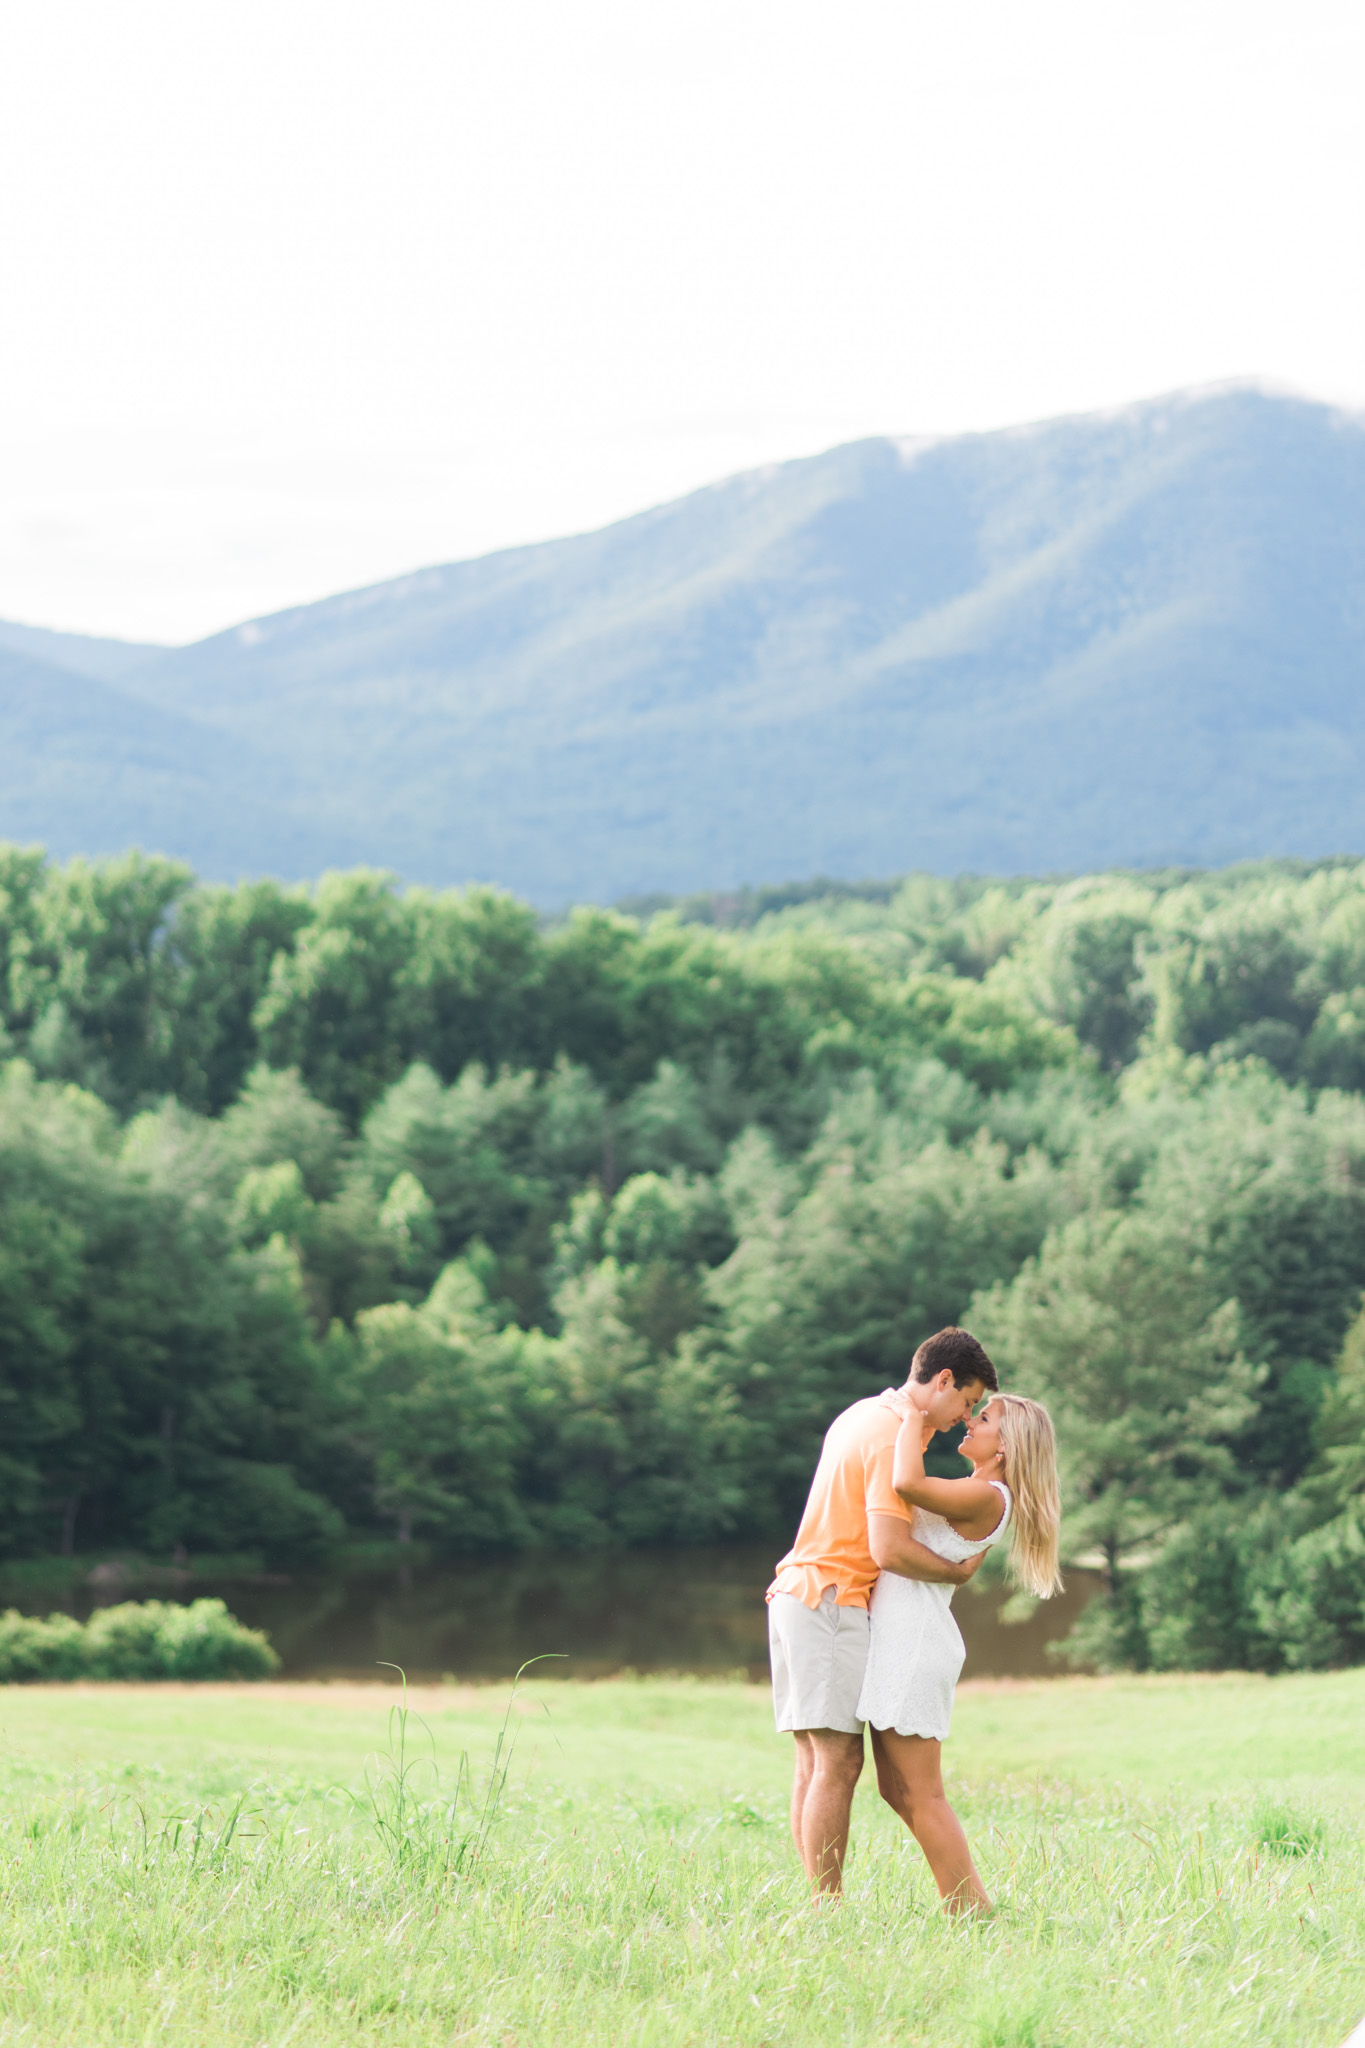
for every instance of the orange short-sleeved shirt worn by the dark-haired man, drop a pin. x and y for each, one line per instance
(852, 1482)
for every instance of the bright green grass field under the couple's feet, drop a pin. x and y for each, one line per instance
(1174, 1861)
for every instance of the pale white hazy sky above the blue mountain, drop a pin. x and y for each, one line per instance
(304, 294)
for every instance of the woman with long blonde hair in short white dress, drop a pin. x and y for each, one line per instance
(916, 1648)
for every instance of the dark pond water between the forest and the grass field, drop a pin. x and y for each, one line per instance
(646, 1611)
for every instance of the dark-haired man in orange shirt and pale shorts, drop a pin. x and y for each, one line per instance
(818, 1607)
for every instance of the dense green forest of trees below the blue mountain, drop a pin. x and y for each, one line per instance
(357, 1209)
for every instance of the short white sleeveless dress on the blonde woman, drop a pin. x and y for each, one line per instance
(916, 1648)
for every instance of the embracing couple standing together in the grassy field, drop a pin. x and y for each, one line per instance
(861, 1613)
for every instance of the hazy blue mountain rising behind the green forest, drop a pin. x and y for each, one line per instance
(1120, 640)
